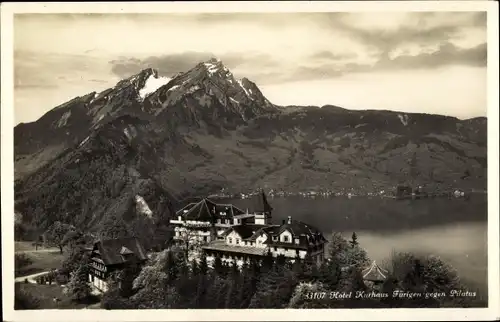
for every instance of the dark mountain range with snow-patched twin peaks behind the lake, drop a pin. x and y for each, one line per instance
(163, 140)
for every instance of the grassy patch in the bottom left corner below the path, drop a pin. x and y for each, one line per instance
(46, 294)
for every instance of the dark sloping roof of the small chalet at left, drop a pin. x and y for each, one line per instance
(111, 250)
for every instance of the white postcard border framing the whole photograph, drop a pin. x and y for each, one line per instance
(7, 122)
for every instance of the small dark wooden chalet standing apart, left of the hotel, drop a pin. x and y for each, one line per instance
(109, 255)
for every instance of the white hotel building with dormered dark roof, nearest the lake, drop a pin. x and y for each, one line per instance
(244, 242)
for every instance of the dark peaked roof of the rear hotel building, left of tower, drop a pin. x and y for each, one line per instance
(208, 211)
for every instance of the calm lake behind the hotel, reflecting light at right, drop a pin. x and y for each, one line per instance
(455, 230)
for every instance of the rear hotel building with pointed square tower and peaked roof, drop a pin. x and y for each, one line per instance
(206, 220)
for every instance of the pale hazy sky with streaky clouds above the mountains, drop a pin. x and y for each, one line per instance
(415, 62)
